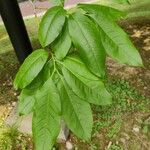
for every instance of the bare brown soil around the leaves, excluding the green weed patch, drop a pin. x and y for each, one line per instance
(129, 135)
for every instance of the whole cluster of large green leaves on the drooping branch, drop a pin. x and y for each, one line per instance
(62, 79)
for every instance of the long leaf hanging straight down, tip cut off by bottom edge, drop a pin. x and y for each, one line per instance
(46, 117)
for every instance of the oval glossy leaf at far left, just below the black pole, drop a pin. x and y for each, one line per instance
(31, 67)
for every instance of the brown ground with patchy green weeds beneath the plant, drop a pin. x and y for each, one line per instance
(125, 124)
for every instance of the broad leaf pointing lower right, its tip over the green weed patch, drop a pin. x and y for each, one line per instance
(87, 86)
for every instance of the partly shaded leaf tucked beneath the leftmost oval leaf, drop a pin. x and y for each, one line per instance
(27, 96)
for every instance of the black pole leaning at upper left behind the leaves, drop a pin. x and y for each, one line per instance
(15, 27)
